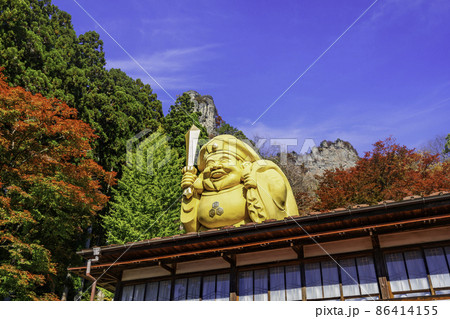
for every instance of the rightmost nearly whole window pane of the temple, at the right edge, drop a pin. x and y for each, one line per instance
(437, 265)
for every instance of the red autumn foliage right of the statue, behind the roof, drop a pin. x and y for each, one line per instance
(389, 172)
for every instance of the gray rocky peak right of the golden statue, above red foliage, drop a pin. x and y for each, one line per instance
(329, 155)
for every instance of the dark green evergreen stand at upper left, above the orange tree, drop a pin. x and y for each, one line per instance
(42, 53)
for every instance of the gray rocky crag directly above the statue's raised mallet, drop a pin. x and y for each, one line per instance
(205, 105)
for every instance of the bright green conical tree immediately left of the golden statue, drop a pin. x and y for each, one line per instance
(146, 201)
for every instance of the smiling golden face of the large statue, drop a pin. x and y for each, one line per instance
(222, 171)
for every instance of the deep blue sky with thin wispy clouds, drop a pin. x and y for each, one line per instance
(388, 75)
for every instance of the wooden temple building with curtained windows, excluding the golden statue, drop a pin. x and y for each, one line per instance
(392, 250)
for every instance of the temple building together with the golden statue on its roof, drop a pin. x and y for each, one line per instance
(245, 241)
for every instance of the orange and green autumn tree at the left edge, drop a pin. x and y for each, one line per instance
(49, 191)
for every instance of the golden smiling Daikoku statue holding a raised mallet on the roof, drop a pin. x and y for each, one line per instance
(234, 186)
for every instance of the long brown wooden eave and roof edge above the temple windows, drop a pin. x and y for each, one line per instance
(387, 217)
